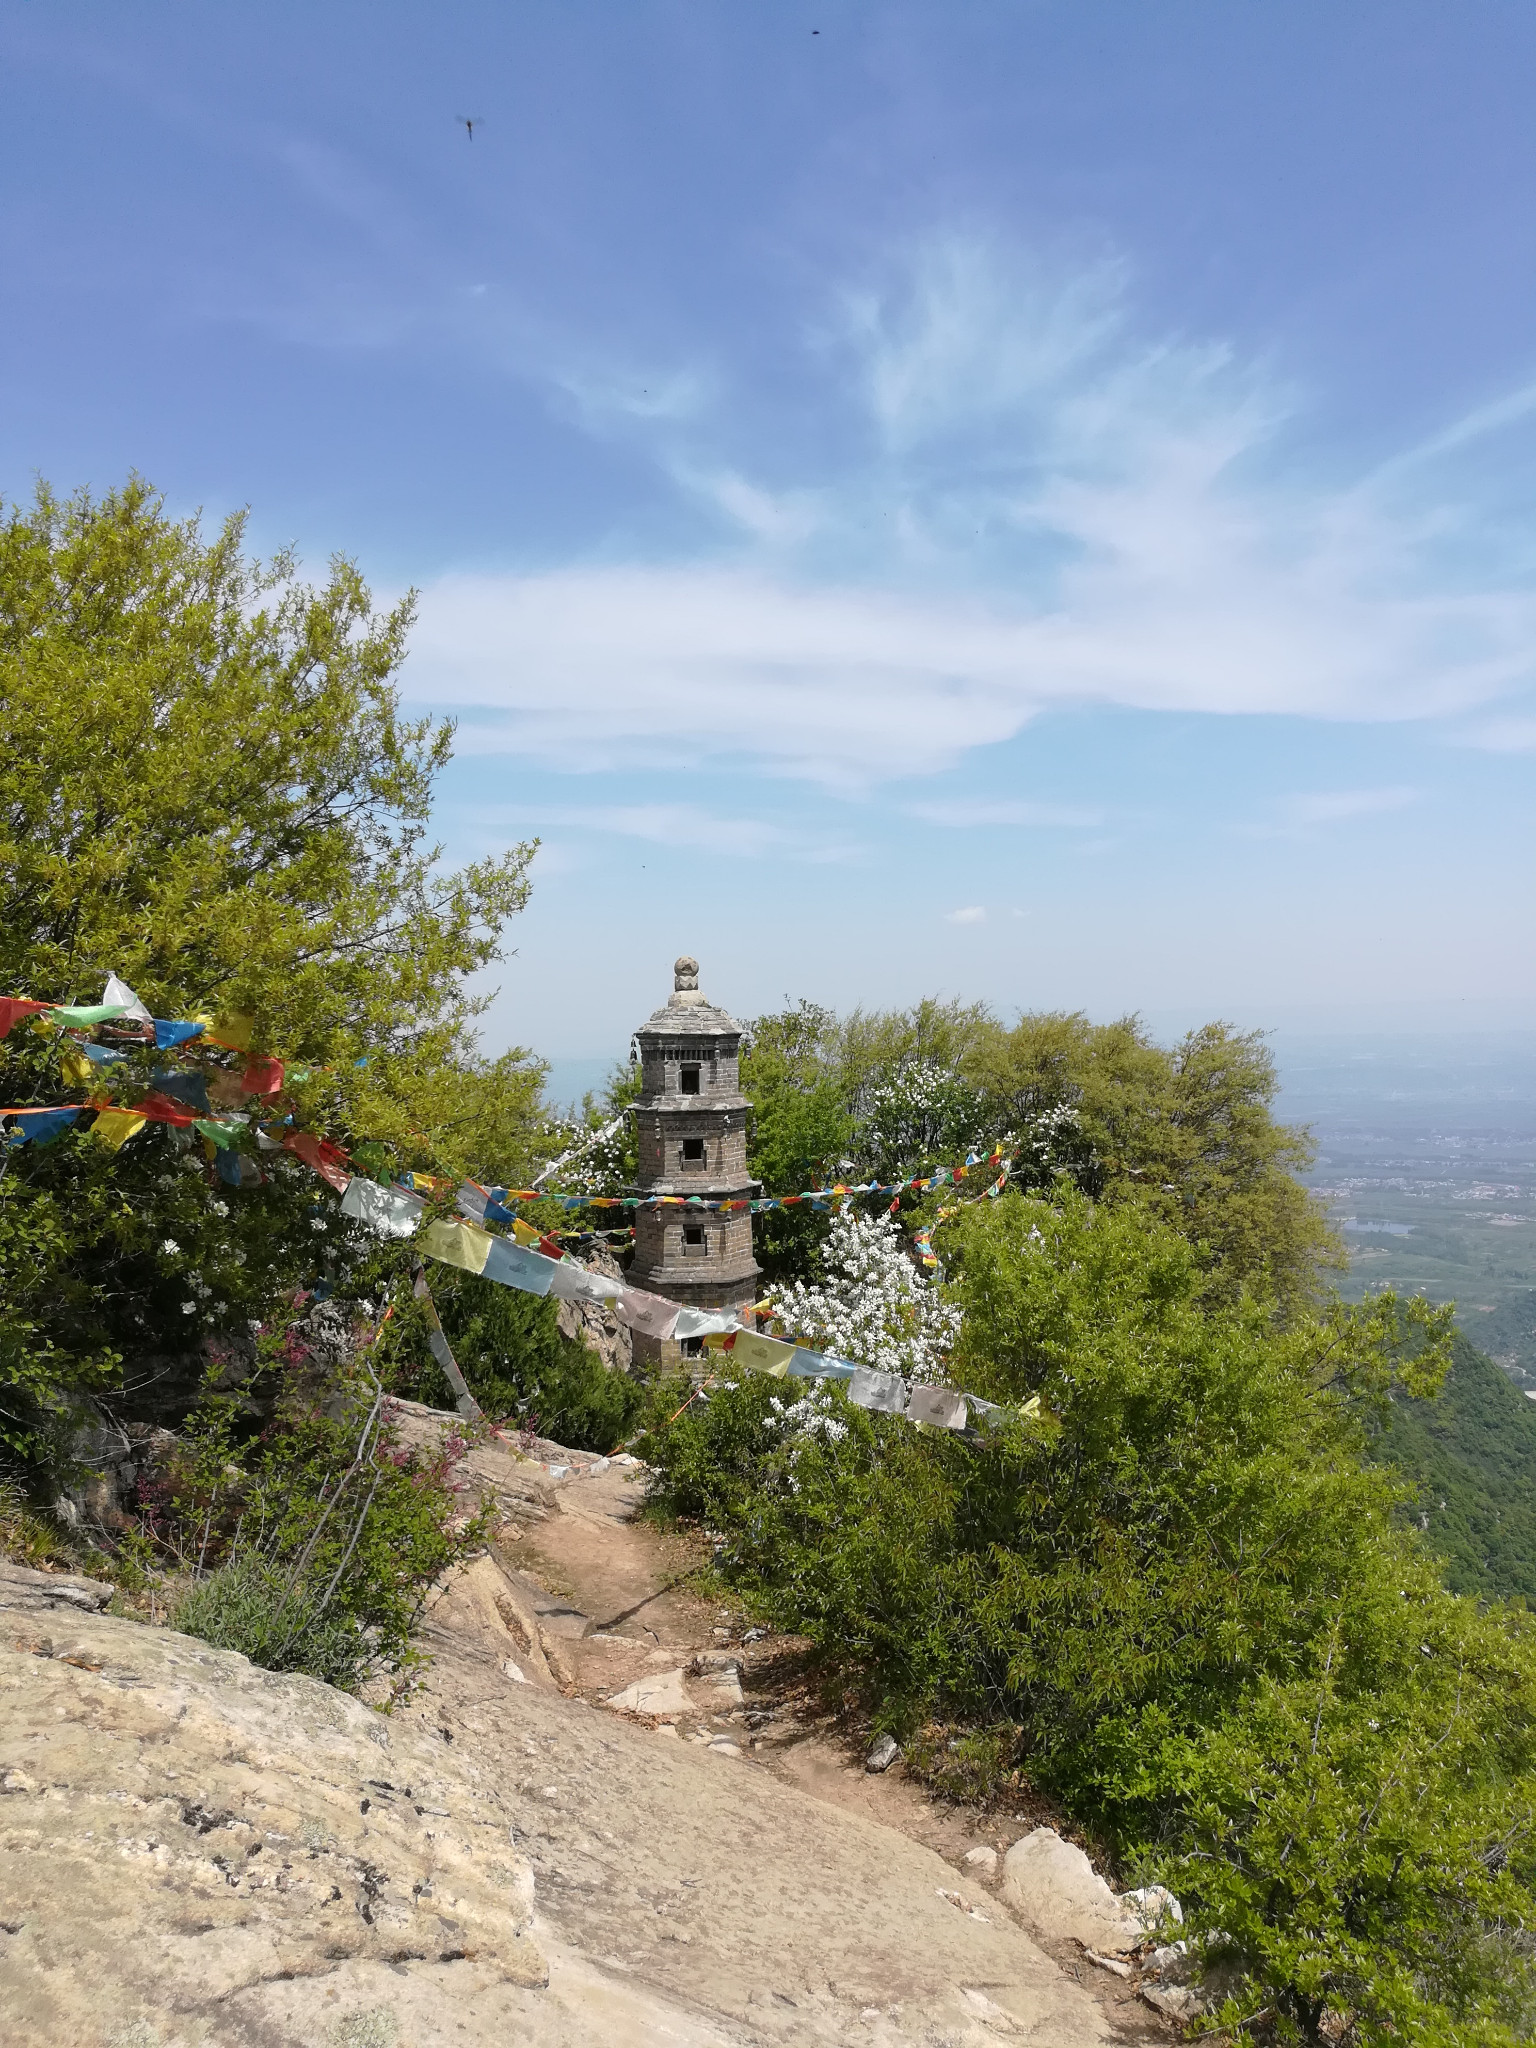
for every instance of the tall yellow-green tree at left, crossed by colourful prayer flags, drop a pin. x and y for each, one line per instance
(212, 794)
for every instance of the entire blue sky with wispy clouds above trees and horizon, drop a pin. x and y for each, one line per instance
(1029, 503)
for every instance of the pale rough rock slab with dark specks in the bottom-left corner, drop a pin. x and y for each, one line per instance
(181, 1828)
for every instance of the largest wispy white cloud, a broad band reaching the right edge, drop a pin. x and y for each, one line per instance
(1035, 505)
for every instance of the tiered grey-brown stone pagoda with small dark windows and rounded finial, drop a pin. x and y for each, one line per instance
(691, 1129)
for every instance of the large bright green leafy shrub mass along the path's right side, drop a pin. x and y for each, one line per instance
(1183, 1605)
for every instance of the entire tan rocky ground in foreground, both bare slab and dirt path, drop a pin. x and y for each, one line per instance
(609, 1816)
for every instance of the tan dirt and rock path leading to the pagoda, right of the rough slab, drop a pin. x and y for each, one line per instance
(718, 1848)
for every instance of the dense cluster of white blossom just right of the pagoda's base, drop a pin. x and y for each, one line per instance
(873, 1308)
